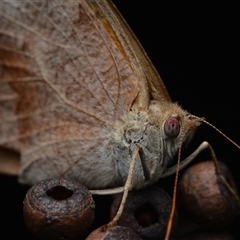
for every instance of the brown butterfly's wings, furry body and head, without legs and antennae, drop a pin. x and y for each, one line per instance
(78, 94)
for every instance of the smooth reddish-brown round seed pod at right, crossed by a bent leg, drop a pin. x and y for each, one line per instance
(206, 199)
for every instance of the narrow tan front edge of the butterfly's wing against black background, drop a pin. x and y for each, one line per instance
(152, 86)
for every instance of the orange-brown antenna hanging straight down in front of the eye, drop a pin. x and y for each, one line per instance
(173, 207)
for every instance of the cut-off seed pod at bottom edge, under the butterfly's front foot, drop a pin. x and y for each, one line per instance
(114, 233)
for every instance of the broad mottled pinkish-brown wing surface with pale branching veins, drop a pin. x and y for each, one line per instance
(64, 84)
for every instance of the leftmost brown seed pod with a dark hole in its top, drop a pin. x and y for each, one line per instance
(58, 209)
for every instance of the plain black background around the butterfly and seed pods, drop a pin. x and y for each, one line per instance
(196, 51)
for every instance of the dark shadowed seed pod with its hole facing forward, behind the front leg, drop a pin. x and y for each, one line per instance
(146, 212)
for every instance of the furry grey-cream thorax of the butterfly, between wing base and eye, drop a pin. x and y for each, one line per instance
(145, 130)
